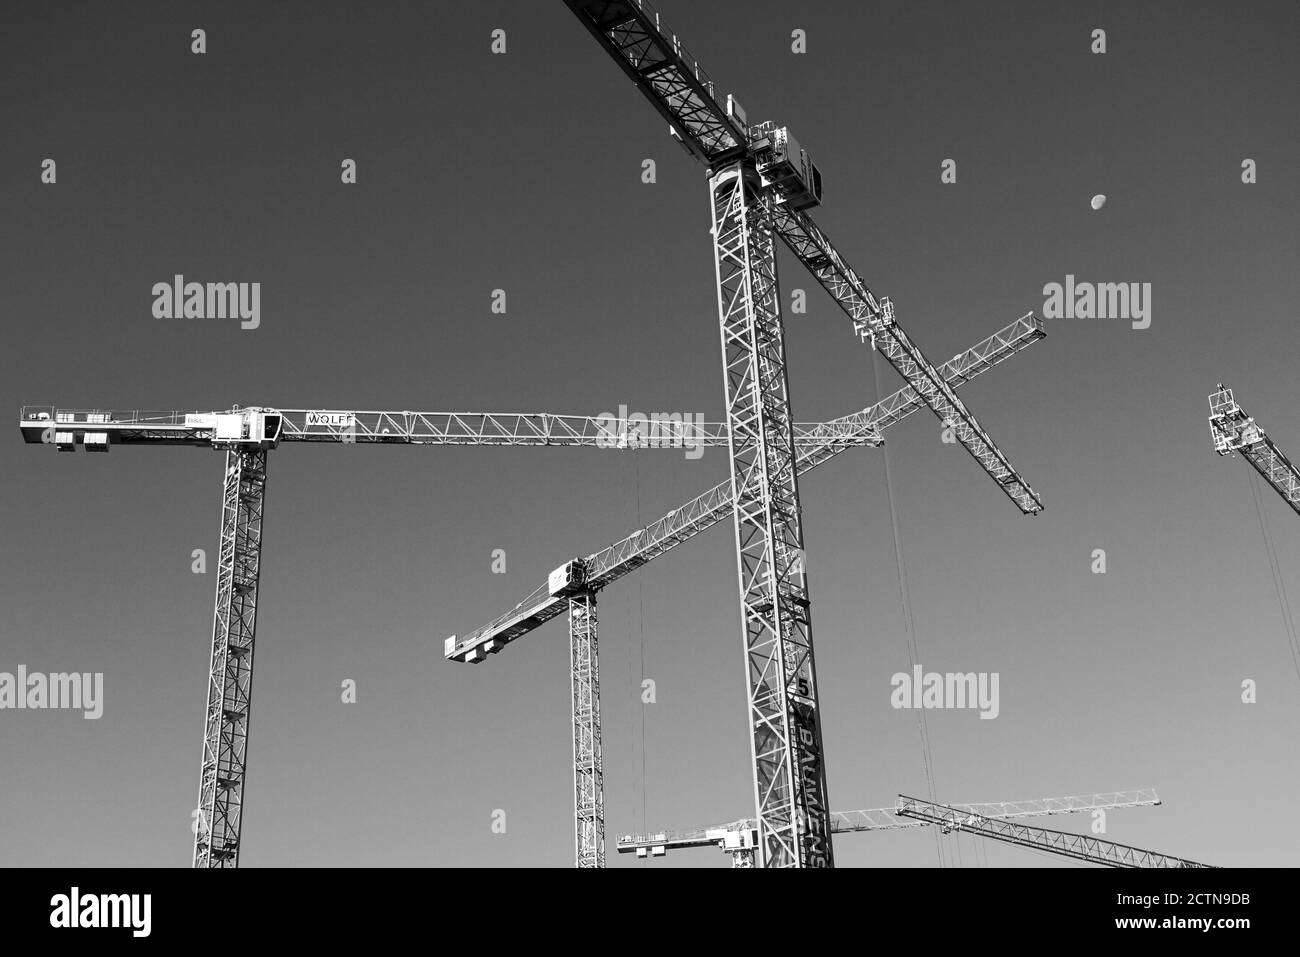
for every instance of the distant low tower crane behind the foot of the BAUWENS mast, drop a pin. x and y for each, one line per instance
(739, 838)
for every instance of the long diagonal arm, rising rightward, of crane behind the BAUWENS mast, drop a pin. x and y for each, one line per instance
(714, 506)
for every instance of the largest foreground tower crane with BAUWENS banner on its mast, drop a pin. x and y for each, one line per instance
(762, 185)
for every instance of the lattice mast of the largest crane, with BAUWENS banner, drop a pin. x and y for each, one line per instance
(786, 731)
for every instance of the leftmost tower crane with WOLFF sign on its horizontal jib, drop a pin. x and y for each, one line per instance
(248, 436)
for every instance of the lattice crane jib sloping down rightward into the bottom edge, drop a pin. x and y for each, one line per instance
(1077, 846)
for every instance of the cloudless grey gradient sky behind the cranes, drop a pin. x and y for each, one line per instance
(522, 172)
